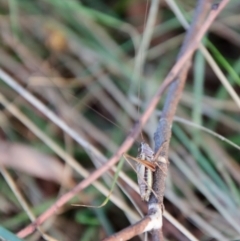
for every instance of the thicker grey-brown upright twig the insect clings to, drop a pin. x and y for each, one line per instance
(163, 132)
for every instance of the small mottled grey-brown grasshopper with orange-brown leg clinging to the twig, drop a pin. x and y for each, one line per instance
(145, 167)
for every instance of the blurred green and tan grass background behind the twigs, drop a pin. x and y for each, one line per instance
(79, 59)
